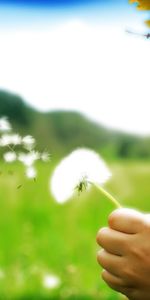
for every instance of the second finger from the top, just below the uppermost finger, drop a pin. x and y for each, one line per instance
(112, 241)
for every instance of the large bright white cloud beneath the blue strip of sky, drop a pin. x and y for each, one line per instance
(97, 69)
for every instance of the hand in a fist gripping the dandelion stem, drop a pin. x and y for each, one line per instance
(125, 253)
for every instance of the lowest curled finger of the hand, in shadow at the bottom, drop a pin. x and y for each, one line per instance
(115, 284)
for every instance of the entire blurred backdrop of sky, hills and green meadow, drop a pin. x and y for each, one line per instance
(72, 76)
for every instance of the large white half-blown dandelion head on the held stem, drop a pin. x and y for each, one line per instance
(81, 163)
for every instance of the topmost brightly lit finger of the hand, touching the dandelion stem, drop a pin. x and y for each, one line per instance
(126, 220)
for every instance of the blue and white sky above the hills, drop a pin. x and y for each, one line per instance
(77, 55)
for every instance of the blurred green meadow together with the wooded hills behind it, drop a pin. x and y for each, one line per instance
(48, 250)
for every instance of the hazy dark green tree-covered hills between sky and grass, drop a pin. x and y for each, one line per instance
(59, 132)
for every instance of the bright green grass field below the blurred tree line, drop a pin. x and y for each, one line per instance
(39, 236)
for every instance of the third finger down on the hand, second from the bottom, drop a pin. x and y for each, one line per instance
(112, 263)
